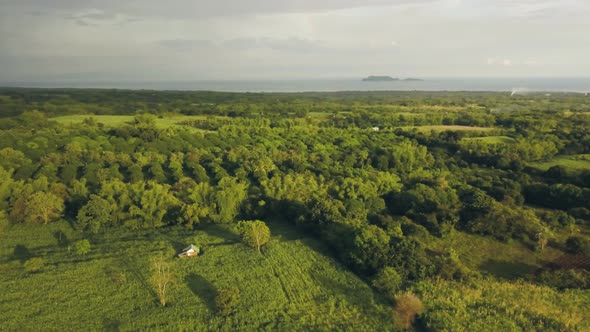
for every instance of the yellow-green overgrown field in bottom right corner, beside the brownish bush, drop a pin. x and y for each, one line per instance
(491, 305)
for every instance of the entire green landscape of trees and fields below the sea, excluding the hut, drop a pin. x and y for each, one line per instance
(345, 211)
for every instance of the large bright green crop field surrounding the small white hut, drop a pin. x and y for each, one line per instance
(292, 286)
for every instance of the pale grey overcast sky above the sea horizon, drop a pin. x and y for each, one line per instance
(274, 39)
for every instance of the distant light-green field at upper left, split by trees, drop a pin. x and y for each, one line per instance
(118, 120)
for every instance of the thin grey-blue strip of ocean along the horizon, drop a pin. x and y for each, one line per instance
(520, 85)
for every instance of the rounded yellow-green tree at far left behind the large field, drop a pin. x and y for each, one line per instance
(42, 207)
